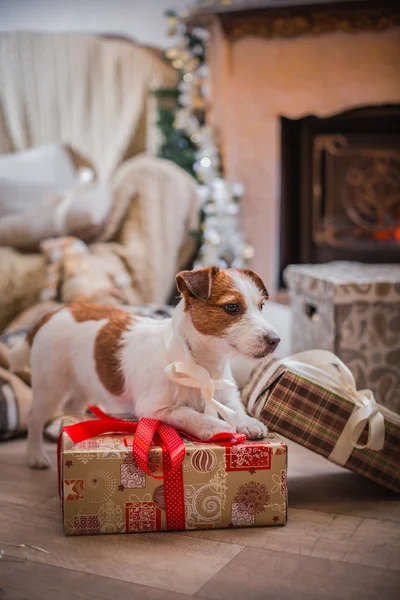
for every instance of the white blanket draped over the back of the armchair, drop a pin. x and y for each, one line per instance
(91, 93)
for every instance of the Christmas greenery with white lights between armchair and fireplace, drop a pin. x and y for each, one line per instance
(188, 142)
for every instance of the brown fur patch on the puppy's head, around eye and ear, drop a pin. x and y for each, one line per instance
(208, 315)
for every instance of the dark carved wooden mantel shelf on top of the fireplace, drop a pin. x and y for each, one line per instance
(288, 18)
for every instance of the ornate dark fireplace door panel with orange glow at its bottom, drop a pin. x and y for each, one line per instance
(356, 191)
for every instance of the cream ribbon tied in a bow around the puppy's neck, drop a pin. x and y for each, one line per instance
(183, 370)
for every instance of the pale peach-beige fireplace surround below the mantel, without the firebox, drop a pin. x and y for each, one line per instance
(259, 76)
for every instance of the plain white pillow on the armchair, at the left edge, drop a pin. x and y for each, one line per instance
(51, 164)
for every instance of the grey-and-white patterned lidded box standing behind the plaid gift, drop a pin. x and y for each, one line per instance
(353, 310)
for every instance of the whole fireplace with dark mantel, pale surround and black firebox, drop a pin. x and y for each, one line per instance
(308, 63)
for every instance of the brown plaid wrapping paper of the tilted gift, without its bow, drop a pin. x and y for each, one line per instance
(315, 417)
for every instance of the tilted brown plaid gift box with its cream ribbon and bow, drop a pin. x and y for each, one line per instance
(312, 399)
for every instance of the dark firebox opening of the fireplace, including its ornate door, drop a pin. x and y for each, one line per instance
(340, 187)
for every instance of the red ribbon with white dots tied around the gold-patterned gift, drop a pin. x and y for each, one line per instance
(145, 431)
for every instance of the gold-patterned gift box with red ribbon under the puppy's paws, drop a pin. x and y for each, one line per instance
(104, 490)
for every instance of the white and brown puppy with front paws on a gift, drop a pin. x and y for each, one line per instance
(164, 369)
